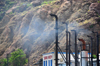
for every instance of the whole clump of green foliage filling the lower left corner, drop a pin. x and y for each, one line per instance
(17, 58)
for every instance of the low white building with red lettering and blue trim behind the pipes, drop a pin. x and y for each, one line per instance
(48, 59)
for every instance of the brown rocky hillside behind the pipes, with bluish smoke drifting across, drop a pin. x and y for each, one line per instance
(29, 26)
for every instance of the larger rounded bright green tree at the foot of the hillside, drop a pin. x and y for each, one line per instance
(18, 58)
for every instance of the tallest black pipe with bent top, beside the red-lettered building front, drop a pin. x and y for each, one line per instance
(56, 29)
